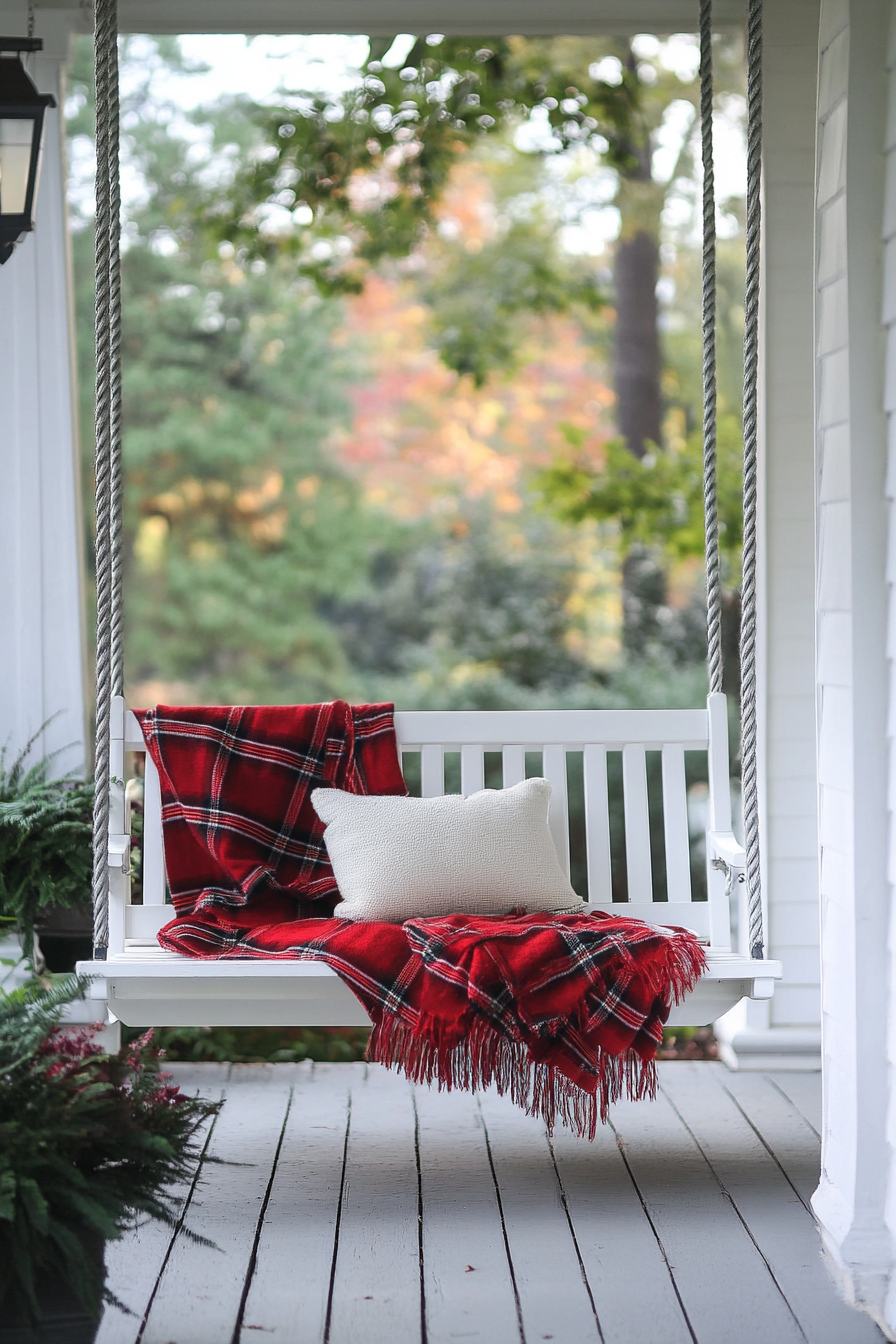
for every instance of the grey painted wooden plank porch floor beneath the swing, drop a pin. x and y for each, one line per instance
(349, 1208)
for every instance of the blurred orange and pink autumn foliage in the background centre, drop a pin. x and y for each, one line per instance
(424, 440)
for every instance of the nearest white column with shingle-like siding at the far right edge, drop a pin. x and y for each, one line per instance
(858, 1163)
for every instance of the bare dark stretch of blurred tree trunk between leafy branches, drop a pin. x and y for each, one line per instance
(637, 342)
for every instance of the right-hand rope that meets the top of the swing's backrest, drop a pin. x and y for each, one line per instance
(710, 502)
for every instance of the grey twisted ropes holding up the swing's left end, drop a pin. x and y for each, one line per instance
(108, 464)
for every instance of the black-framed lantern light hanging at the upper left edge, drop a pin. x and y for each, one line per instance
(22, 112)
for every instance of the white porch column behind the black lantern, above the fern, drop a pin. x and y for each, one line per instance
(42, 596)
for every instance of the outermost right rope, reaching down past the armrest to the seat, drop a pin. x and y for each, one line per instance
(749, 732)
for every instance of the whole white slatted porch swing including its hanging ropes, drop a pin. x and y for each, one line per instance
(146, 986)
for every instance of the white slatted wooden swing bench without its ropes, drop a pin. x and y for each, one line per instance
(147, 987)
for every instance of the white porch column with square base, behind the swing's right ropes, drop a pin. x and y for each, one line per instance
(787, 1033)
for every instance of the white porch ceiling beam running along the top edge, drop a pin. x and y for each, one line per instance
(386, 17)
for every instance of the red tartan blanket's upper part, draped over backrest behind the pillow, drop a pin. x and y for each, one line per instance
(236, 791)
